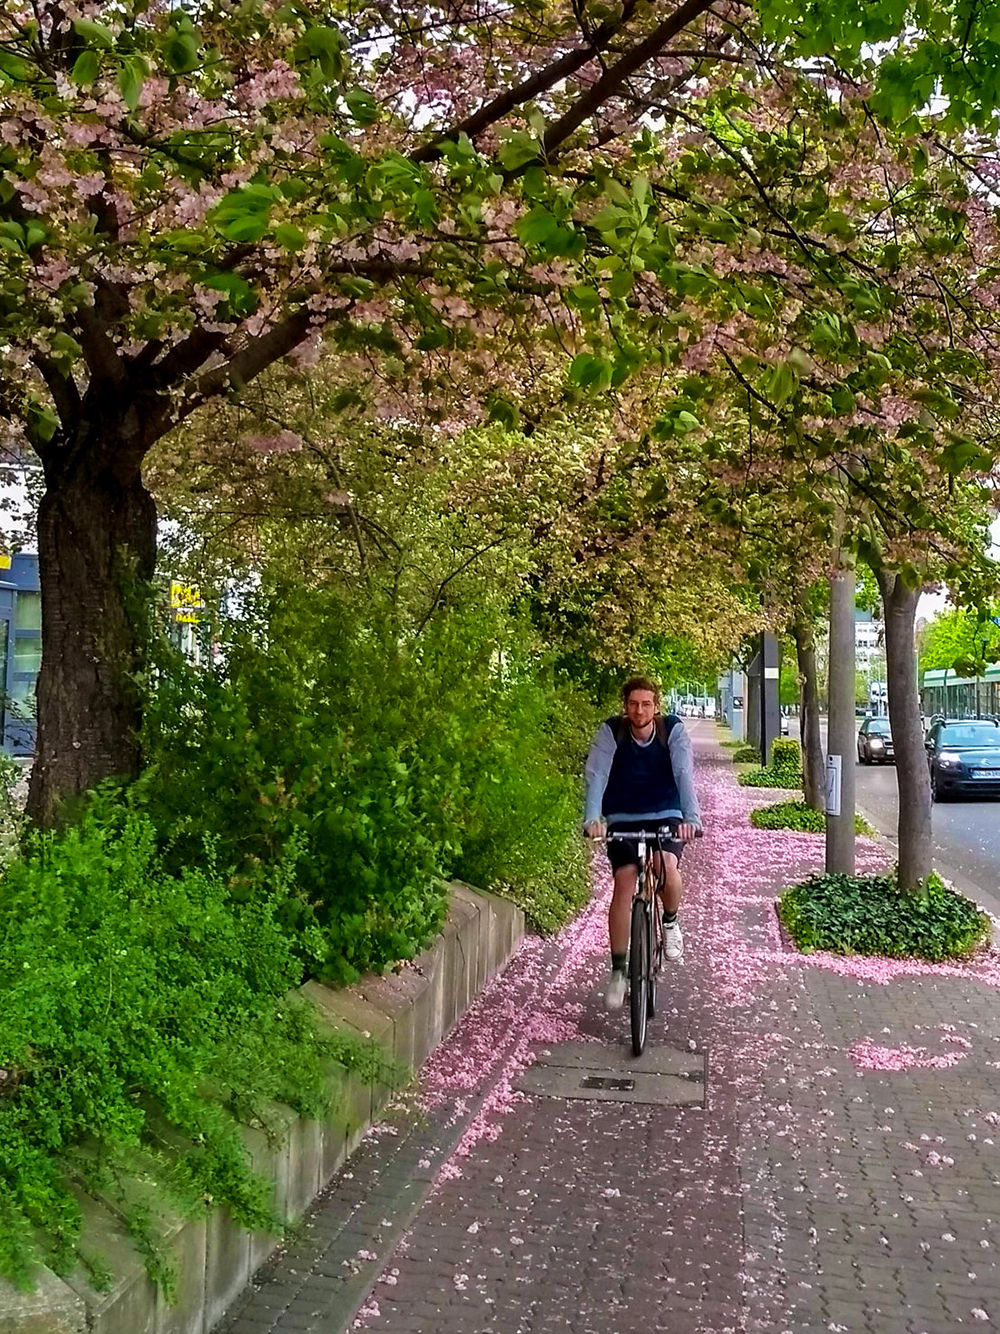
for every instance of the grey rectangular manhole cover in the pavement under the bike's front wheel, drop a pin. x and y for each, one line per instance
(663, 1076)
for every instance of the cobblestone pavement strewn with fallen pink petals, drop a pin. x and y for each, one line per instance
(842, 1175)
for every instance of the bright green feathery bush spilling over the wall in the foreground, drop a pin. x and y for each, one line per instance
(126, 993)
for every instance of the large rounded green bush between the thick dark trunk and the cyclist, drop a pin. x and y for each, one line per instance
(394, 760)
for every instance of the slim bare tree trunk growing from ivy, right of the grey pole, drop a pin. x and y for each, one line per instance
(913, 781)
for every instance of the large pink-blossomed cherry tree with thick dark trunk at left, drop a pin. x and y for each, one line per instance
(190, 194)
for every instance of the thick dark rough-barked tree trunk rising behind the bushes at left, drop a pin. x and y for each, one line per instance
(97, 557)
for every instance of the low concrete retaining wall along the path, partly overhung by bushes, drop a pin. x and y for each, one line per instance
(407, 1015)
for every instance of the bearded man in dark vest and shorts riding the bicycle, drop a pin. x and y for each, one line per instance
(641, 776)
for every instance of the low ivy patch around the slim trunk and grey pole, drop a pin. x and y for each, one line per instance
(851, 914)
